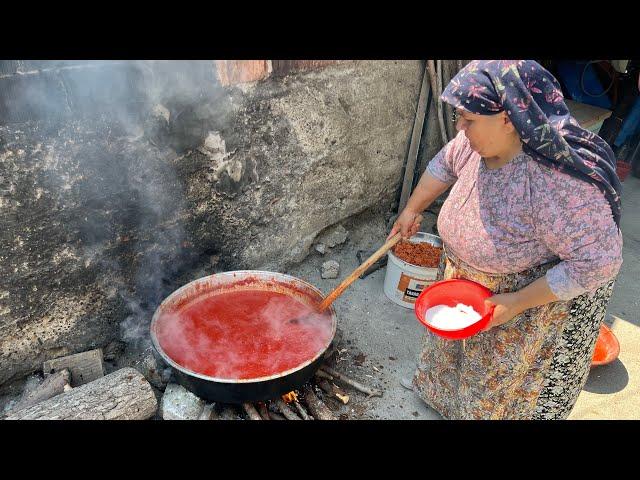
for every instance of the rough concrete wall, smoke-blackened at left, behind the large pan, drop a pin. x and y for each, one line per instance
(118, 180)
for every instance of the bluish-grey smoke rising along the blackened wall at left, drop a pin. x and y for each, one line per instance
(107, 138)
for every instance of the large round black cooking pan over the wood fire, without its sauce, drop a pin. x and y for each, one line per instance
(244, 390)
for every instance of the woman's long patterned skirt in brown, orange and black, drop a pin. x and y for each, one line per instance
(532, 367)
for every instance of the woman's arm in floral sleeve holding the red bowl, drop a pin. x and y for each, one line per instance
(574, 220)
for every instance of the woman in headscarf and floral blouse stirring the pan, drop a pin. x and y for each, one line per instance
(533, 215)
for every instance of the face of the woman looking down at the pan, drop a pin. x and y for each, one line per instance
(489, 135)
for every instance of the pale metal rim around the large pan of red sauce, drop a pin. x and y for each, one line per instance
(240, 274)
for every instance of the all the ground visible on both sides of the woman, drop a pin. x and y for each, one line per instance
(384, 338)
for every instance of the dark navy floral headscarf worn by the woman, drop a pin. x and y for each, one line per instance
(534, 103)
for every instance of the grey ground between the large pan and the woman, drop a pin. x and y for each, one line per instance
(380, 338)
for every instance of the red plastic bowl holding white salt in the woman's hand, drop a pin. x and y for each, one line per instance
(450, 293)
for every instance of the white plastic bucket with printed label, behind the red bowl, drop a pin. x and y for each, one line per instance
(404, 281)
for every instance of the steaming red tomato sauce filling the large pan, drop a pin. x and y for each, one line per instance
(243, 334)
